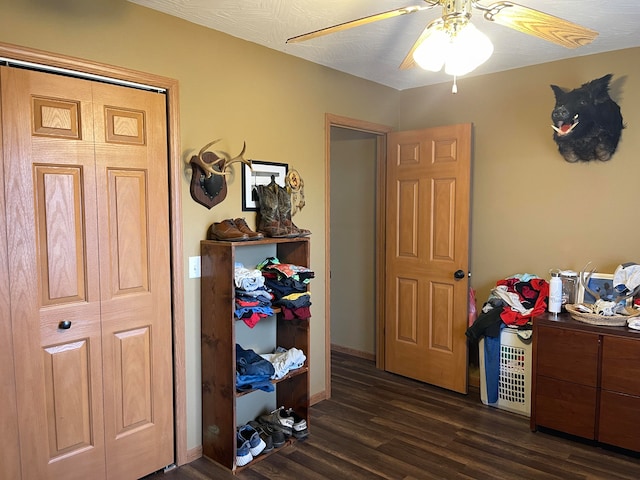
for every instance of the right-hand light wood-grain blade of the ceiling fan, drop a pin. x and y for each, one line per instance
(538, 24)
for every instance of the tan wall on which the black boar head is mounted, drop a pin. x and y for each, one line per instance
(531, 210)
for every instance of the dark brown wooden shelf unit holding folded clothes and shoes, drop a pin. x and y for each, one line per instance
(218, 340)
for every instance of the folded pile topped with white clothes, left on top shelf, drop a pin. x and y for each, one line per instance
(253, 300)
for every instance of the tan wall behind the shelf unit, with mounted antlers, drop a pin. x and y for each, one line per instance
(229, 89)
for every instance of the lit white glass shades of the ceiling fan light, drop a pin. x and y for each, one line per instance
(460, 52)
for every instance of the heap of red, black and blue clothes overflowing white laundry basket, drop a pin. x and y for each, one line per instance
(512, 303)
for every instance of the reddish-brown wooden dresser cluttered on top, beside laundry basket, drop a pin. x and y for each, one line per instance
(585, 380)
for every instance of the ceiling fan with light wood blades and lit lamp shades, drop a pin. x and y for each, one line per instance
(453, 41)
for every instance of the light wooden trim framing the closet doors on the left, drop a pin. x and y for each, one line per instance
(170, 85)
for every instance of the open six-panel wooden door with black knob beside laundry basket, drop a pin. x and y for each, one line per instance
(427, 249)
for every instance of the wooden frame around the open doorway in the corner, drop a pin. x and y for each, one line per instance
(380, 131)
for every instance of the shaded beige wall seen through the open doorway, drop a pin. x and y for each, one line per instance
(353, 232)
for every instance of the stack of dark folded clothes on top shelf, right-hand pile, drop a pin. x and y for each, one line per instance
(288, 286)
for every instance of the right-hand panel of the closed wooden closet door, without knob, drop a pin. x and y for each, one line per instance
(133, 212)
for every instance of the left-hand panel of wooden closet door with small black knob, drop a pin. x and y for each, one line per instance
(52, 244)
